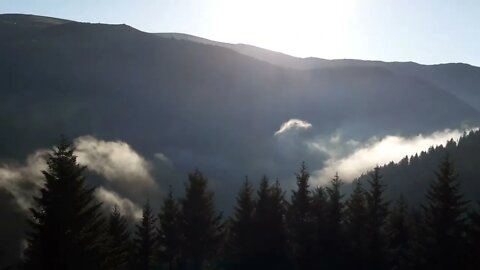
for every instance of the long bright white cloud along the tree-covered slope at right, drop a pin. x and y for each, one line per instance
(376, 151)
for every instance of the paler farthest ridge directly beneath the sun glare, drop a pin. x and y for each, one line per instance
(461, 80)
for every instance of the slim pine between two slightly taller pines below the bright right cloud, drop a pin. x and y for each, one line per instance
(356, 224)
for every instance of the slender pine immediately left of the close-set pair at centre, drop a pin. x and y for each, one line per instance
(241, 242)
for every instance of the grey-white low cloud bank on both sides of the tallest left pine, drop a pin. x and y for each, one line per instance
(125, 175)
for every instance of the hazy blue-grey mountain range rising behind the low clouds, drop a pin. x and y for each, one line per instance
(209, 105)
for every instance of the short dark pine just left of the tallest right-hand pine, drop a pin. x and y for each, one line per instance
(400, 236)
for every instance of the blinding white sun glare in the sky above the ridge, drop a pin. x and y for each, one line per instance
(300, 27)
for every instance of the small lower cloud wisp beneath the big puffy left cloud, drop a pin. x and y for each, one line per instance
(125, 206)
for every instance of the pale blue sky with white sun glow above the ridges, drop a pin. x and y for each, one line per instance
(424, 31)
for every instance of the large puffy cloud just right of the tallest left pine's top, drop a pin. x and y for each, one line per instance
(115, 160)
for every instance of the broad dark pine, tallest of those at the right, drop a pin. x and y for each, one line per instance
(445, 221)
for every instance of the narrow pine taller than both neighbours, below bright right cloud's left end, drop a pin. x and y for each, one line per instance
(334, 232)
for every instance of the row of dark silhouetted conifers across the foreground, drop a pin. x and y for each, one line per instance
(317, 228)
